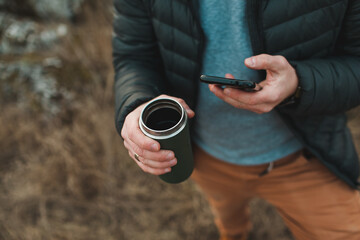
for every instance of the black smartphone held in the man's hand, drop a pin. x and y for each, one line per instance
(245, 85)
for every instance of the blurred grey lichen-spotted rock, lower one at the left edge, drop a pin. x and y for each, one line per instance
(30, 83)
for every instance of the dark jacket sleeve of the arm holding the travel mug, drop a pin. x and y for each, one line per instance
(136, 60)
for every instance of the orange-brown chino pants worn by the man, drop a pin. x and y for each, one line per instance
(313, 202)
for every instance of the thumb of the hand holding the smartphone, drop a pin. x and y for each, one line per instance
(266, 62)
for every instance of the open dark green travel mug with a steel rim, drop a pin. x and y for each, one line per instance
(165, 120)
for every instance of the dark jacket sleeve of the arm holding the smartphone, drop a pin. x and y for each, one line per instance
(331, 85)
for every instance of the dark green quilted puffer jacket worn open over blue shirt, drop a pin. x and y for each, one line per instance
(158, 47)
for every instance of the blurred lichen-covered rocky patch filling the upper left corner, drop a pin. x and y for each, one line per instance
(32, 74)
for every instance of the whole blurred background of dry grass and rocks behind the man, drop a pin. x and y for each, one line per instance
(64, 173)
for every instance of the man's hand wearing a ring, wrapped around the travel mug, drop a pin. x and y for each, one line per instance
(149, 156)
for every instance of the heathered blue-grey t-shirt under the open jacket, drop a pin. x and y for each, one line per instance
(230, 134)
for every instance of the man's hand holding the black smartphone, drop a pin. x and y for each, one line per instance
(281, 82)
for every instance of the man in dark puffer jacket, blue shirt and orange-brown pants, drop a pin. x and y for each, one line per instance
(287, 143)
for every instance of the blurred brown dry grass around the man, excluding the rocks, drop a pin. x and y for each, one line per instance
(69, 177)
